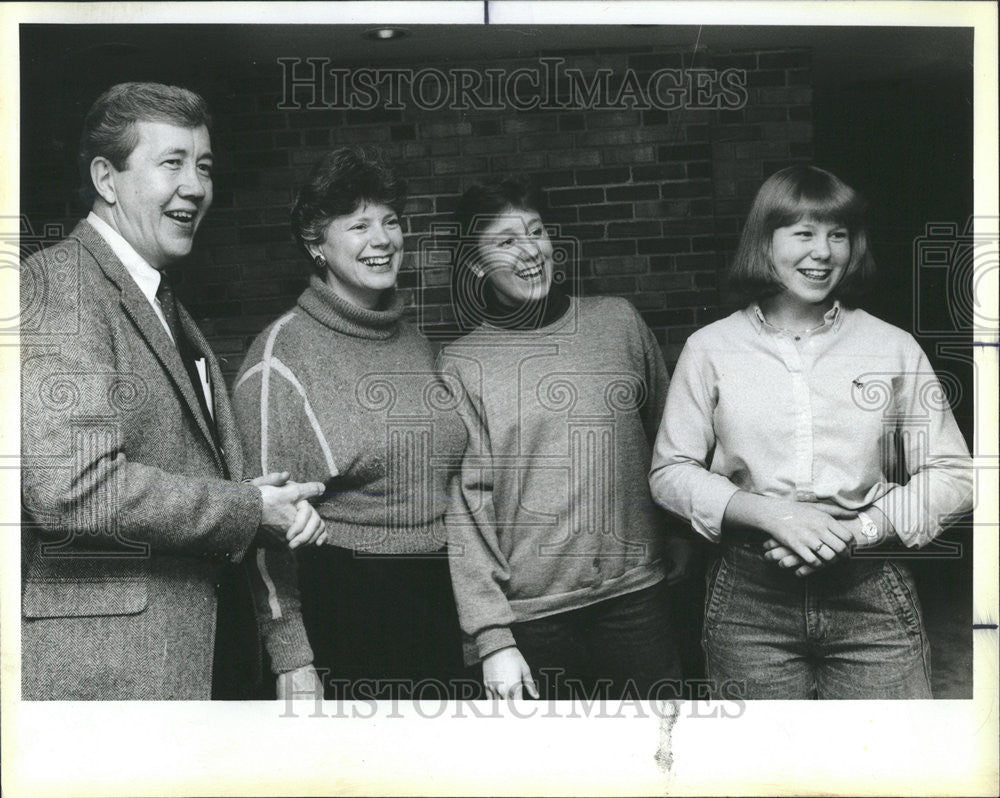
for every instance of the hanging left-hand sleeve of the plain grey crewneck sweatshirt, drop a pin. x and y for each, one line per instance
(479, 569)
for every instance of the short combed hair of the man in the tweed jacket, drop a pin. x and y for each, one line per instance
(109, 127)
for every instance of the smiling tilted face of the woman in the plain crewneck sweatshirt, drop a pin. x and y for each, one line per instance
(515, 255)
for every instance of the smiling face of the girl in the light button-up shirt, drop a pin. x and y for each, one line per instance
(809, 258)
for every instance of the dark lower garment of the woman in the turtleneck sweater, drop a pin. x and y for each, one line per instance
(381, 626)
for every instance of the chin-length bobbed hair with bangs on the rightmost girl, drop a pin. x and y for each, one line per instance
(786, 197)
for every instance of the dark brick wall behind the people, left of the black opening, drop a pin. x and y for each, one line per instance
(653, 198)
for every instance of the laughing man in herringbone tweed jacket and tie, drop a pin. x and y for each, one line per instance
(133, 502)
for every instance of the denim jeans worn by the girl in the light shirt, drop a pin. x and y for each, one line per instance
(852, 631)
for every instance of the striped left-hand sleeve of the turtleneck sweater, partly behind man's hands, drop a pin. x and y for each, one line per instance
(279, 435)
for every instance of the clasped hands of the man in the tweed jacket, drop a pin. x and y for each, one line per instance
(287, 517)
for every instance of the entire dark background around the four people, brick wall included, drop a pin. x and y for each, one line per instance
(654, 199)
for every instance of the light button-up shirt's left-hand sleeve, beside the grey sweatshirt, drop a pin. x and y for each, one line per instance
(680, 479)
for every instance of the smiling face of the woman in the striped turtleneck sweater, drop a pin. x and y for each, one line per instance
(363, 251)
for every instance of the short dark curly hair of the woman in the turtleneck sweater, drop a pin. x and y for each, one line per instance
(340, 181)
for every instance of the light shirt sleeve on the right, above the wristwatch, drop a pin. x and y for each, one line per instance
(936, 458)
